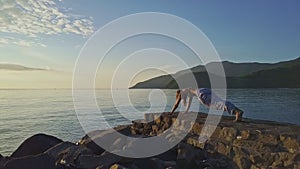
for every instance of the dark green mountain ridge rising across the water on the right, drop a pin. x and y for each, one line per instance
(238, 75)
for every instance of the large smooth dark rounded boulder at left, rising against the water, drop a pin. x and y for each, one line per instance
(36, 144)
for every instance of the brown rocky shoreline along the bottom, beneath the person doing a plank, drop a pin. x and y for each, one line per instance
(249, 144)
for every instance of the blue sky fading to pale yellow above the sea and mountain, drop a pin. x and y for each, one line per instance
(49, 34)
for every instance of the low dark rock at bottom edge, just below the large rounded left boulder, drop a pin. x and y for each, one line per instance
(41, 161)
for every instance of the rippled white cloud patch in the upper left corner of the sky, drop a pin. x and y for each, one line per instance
(34, 17)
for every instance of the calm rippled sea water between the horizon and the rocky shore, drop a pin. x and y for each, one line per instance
(27, 112)
